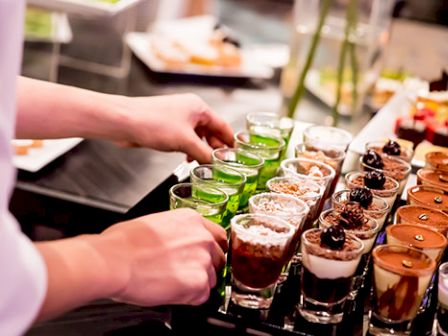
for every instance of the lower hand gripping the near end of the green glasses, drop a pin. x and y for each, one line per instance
(166, 258)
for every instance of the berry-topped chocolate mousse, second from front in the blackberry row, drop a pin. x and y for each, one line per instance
(352, 218)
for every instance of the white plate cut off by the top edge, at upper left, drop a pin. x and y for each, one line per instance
(84, 7)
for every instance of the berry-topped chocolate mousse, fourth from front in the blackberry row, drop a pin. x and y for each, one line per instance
(380, 185)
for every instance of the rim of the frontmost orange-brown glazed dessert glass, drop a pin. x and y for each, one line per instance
(421, 272)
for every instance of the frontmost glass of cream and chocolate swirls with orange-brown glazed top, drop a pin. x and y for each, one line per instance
(401, 276)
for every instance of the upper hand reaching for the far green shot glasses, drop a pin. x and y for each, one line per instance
(175, 123)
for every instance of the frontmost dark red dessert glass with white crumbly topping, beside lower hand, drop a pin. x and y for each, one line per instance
(259, 248)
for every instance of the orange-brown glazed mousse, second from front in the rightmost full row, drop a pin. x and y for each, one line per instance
(421, 237)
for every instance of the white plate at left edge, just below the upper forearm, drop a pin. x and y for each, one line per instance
(37, 158)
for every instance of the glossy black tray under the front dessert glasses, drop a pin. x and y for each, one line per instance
(219, 316)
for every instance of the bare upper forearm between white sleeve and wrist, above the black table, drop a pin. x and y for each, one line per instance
(48, 110)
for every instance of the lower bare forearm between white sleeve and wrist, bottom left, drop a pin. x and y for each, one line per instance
(80, 270)
